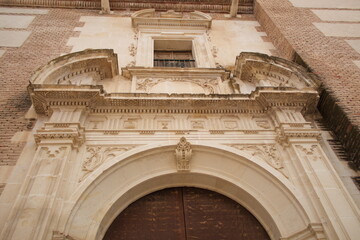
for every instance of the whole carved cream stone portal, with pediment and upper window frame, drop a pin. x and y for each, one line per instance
(248, 133)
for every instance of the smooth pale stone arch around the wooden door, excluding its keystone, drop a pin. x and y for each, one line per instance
(267, 194)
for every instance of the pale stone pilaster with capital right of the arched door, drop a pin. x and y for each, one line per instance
(337, 216)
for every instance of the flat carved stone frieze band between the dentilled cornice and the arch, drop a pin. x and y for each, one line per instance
(250, 124)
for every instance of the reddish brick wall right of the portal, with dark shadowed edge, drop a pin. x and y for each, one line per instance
(294, 36)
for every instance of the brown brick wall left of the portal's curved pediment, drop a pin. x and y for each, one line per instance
(48, 38)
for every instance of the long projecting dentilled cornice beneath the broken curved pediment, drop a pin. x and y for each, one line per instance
(44, 97)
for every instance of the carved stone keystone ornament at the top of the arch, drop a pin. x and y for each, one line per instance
(183, 154)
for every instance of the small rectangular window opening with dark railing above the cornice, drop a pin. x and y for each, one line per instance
(173, 53)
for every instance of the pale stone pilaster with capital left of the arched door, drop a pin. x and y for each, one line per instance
(39, 201)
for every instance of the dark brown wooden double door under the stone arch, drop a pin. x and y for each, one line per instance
(185, 213)
